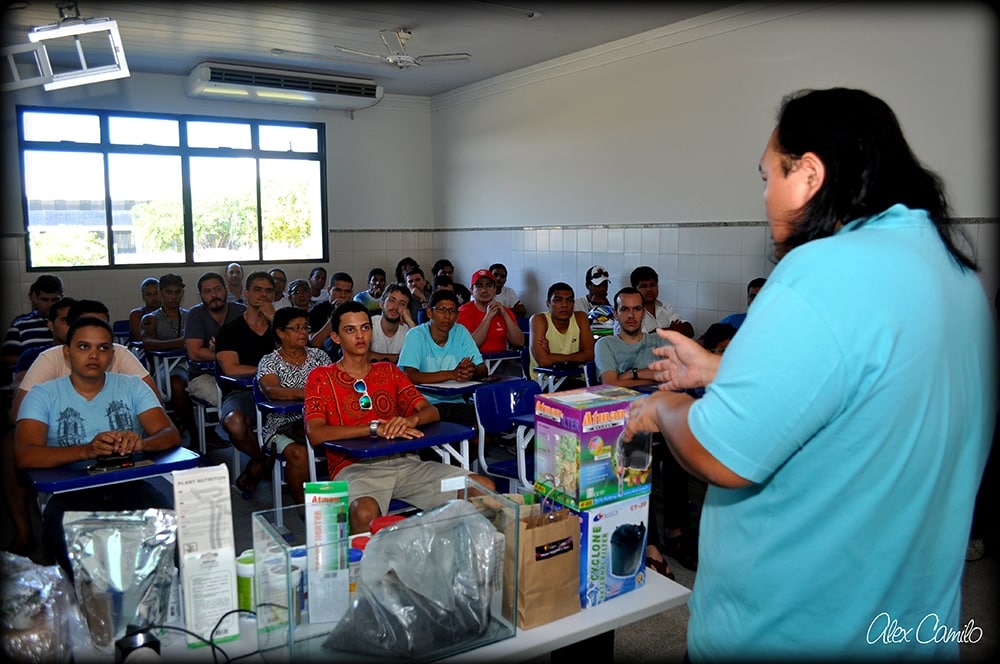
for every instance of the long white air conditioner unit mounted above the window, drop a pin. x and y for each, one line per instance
(276, 86)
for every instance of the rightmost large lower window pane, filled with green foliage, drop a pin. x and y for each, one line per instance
(290, 209)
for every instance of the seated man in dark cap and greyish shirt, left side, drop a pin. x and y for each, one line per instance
(163, 329)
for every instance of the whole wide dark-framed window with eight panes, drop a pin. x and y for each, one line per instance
(109, 188)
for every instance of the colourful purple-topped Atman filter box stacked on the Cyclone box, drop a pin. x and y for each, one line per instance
(580, 459)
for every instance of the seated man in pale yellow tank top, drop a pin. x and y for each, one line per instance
(560, 334)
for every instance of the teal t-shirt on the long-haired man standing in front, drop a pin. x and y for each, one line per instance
(860, 400)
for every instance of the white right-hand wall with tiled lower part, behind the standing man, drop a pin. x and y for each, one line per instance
(645, 151)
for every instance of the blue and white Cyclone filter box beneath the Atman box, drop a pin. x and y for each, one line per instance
(613, 549)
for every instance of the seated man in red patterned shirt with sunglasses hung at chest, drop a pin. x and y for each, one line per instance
(355, 398)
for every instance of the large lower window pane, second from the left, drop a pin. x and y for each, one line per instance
(147, 208)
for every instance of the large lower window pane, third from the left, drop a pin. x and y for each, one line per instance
(224, 209)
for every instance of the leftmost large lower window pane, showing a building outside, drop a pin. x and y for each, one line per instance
(67, 225)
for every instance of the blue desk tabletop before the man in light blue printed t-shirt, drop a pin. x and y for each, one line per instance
(75, 476)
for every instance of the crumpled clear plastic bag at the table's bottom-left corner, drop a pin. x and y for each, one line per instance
(41, 618)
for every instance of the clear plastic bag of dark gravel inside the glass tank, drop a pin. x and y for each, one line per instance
(425, 585)
